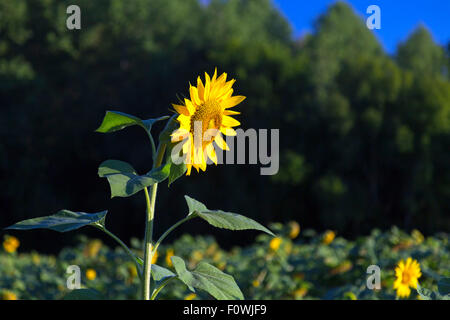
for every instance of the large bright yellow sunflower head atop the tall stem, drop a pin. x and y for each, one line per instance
(204, 118)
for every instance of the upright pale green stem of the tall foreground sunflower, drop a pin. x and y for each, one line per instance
(150, 204)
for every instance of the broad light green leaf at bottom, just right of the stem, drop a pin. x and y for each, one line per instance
(208, 278)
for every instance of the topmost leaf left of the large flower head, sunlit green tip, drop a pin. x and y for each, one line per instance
(115, 120)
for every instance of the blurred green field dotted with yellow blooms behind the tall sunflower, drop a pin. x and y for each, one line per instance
(294, 265)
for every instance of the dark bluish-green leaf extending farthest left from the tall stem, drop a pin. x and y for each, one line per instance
(62, 221)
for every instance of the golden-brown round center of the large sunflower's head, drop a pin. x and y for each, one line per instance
(208, 115)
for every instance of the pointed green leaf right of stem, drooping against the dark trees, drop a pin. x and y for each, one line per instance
(222, 219)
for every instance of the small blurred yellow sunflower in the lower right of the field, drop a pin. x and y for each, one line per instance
(407, 274)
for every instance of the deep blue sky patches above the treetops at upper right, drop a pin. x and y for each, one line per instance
(398, 17)
